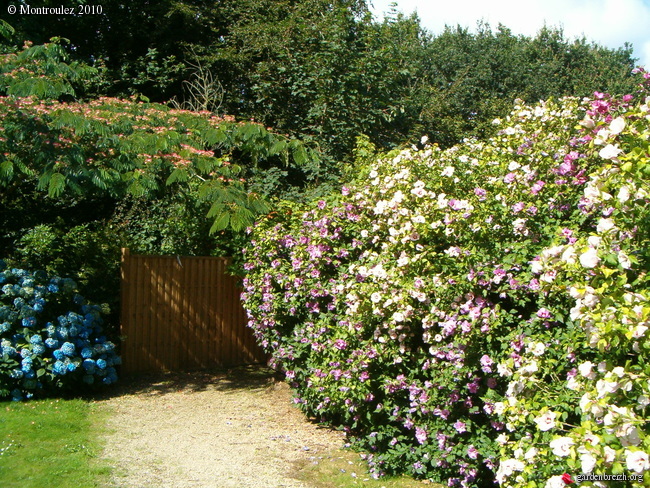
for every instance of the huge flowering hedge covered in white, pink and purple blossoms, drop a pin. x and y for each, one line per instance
(476, 313)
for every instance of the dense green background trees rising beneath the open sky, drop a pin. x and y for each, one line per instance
(327, 70)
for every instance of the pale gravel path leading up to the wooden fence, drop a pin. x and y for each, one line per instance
(204, 430)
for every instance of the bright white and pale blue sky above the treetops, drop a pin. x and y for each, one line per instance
(610, 23)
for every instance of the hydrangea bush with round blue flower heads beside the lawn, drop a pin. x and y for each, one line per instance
(50, 337)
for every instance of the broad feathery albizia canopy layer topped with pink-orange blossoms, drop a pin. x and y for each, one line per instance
(128, 147)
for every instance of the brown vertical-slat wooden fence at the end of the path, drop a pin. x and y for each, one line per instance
(182, 313)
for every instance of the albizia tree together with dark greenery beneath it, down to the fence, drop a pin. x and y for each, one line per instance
(81, 179)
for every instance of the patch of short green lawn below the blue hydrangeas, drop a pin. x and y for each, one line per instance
(51, 443)
